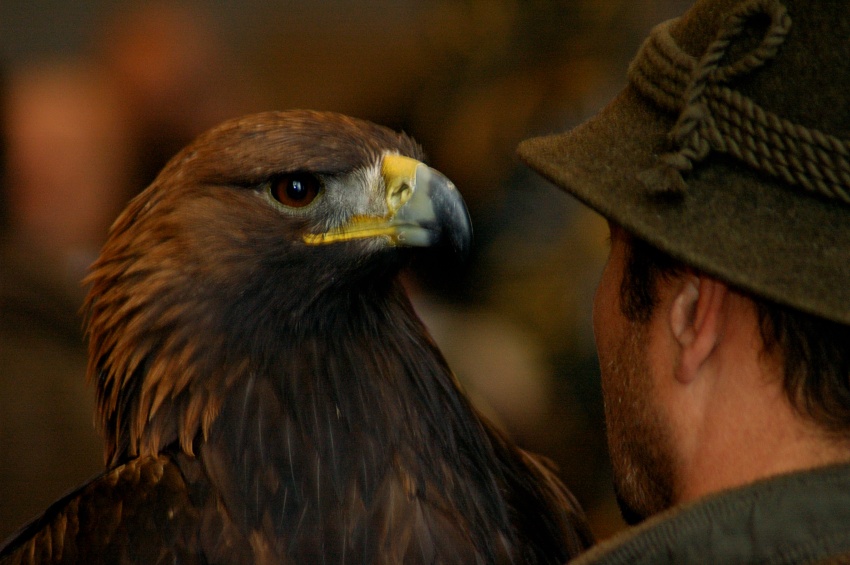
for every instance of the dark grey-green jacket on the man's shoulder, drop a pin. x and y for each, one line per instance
(795, 518)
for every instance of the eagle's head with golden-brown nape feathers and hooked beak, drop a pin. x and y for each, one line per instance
(264, 228)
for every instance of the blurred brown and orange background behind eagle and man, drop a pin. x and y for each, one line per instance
(96, 95)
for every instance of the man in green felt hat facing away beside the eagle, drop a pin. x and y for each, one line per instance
(723, 316)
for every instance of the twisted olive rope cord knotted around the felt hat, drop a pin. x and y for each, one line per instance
(714, 117)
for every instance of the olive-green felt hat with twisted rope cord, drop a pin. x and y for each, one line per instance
(730, 148)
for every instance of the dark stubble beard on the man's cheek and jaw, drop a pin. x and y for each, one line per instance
(639, 438)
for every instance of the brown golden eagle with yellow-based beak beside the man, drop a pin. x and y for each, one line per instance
(266, 391)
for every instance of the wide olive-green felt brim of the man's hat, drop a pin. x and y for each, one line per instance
(744, 227)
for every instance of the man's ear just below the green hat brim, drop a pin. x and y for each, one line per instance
(695, 321)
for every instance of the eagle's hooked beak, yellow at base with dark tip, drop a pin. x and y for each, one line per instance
(424, 209)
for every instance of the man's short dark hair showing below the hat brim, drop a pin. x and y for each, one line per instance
(815, 352)
